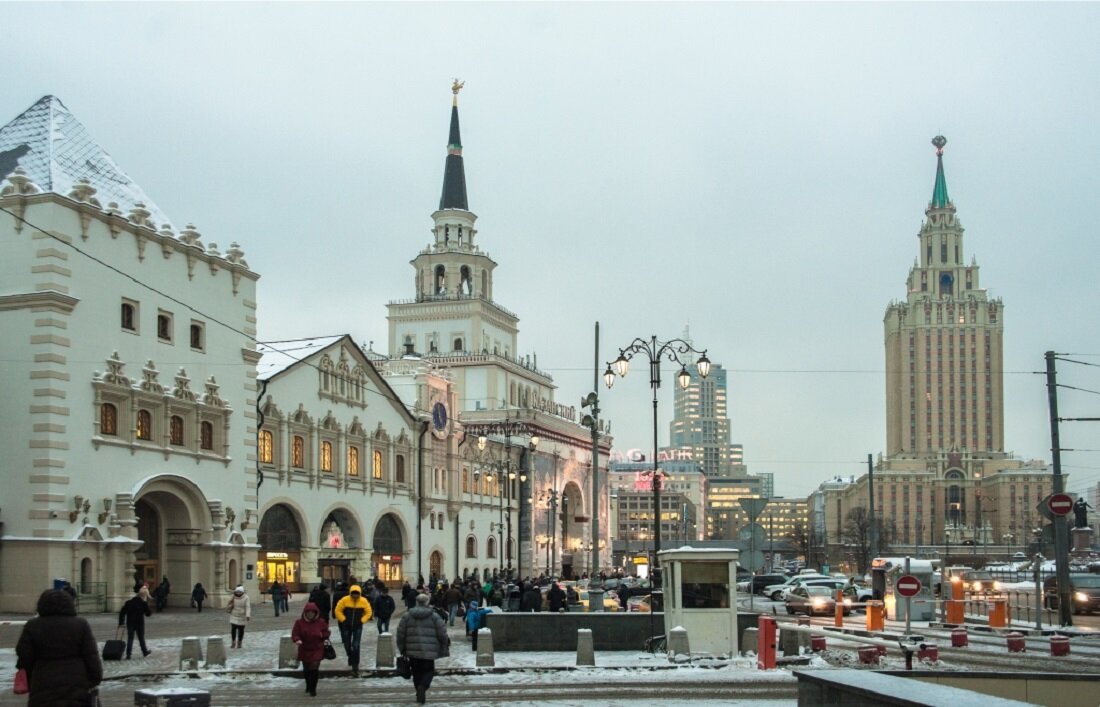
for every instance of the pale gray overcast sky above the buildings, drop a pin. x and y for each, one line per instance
(756, 171)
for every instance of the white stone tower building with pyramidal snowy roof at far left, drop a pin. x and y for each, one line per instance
(127, 367)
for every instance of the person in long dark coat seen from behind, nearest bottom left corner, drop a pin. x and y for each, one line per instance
(60, 655)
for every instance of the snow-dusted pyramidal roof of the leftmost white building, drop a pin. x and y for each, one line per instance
(57, 151)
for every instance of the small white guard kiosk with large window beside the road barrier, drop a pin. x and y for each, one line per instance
(700, 595)
